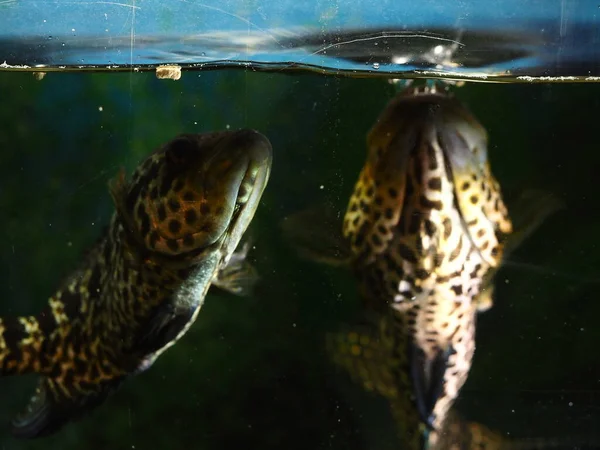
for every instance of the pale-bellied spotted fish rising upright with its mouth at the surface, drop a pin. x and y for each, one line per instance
(423, 234)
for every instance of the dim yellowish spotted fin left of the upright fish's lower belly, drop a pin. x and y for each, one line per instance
(360, 351)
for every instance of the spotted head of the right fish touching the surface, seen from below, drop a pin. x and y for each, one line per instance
(424, 140)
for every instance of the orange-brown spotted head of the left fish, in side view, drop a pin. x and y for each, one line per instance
(197, 193)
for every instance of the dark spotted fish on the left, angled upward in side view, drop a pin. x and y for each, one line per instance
(175, 231)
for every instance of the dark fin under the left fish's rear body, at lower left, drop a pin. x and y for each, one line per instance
(55, 403)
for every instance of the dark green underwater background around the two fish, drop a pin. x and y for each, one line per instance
(251, 373)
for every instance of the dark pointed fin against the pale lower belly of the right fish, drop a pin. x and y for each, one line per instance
(427, 375)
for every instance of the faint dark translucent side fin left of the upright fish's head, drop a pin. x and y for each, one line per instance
(316, 234)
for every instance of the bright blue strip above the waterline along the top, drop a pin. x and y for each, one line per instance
(503, 41)
